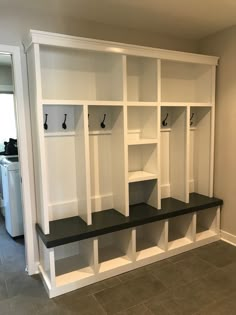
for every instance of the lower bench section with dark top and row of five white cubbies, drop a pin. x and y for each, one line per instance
(75, 254)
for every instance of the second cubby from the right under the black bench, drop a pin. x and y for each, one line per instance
(180, 231)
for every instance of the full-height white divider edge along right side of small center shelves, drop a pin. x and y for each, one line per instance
(159, 133)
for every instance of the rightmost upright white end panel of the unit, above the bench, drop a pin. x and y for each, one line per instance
(211, 175)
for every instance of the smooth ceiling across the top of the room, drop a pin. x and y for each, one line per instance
(189, 19)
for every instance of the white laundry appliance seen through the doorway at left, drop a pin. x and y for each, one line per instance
(11, 187)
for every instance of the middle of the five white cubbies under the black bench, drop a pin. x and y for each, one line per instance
(150, 240)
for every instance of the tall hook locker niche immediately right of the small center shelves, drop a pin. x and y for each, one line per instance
(174, 153)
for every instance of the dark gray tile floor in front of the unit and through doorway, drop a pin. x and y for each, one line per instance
(201, 282)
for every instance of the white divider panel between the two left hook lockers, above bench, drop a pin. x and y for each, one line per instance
(82, 163)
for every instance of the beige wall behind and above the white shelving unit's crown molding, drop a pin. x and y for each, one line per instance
(15, 24)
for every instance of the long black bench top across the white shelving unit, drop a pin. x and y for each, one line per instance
(73, 229)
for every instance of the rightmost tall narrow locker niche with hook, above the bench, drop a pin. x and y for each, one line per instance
(200, 155)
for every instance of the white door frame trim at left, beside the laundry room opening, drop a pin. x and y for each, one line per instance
(24, 155)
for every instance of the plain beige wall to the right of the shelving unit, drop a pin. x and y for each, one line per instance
(223, 44)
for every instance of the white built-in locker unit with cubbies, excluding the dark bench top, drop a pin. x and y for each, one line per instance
(116, 125)
